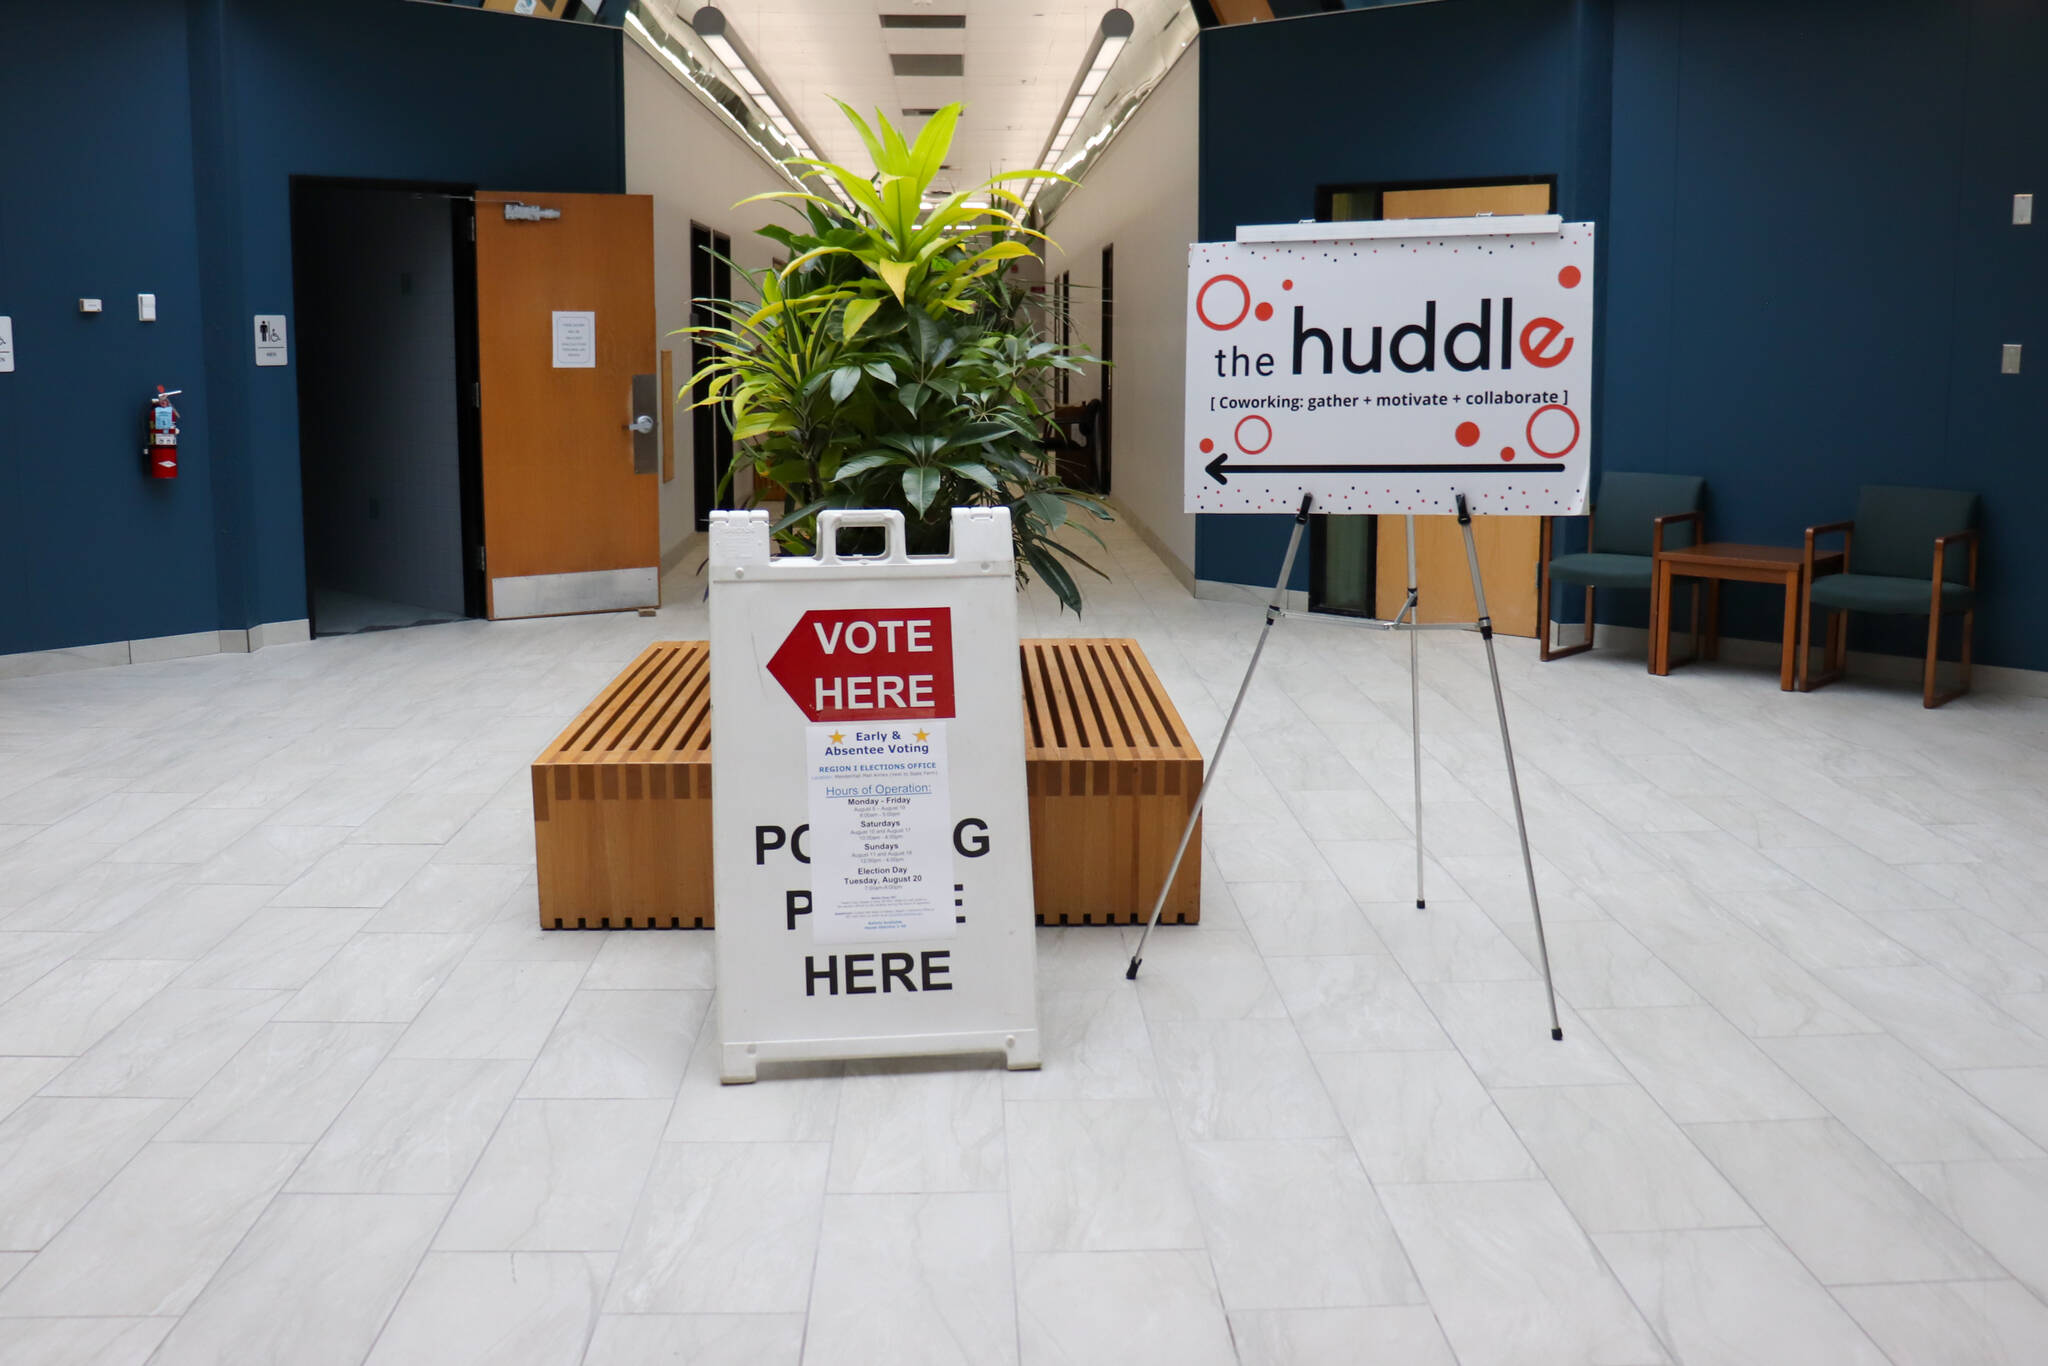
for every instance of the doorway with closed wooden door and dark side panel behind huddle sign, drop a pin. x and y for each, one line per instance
(1353, 570)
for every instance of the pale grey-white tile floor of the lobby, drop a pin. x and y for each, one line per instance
(290, 1076)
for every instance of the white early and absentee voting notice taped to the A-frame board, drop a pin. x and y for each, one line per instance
(882, 833)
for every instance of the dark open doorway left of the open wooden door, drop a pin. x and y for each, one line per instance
(384, 284)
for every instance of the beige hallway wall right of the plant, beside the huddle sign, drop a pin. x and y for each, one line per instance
(1142, 198)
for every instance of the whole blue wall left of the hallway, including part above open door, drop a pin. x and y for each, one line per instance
(155, 151)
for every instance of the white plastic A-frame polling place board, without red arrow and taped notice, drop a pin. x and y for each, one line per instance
(775, 1002)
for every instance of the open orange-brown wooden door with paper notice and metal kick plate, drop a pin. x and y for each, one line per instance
(564, 327)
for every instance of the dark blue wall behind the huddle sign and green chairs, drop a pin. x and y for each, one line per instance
(1807, 247)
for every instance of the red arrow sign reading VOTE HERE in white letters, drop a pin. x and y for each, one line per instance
(863, 665)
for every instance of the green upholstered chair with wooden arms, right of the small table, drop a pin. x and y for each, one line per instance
(1908, 554)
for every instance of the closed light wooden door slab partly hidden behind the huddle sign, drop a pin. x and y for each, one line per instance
(1506, 544)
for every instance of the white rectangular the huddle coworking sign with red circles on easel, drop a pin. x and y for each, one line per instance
(1390, 374)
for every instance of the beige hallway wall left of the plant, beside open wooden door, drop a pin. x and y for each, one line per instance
(697, 169)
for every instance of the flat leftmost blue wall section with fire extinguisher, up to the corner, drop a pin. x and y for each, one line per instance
(97, 202)
